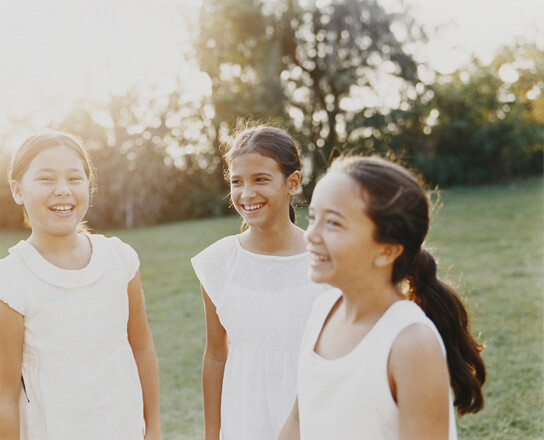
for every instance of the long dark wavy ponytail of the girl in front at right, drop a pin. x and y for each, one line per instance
(444, 307)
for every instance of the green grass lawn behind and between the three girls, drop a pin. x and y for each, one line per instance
(488, 240)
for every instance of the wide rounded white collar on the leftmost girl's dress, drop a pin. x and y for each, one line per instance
(56, 276)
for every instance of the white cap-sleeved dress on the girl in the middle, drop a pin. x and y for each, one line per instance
(263, 302)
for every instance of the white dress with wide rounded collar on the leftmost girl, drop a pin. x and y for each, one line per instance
(80, 377)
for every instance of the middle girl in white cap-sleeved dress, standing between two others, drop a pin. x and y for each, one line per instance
(256, 293)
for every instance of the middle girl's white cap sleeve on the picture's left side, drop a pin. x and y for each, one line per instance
(211, 266)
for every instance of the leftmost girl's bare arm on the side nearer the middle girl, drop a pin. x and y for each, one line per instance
(139, 337)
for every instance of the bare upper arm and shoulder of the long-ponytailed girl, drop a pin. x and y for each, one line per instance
(419, 380)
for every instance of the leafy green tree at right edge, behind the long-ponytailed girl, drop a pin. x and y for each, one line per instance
(488, 120)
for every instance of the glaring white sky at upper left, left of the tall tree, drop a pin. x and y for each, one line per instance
(56, 52)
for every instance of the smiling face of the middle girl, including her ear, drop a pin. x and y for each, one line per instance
(259, 191)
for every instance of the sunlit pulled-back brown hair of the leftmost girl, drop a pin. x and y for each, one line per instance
(34, 145)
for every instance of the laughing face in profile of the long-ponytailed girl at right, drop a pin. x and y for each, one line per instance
(340, 235)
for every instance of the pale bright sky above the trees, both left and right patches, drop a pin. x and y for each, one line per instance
(57, 51)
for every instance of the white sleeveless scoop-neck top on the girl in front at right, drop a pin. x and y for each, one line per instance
(349, 397)
